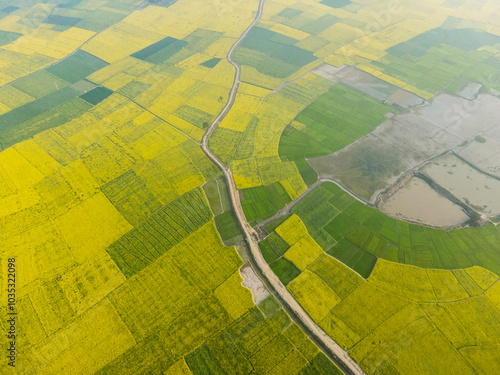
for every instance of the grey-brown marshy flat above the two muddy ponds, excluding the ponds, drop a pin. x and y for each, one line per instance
(408, 140)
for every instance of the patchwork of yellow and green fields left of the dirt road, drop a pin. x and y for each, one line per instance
(107, 204)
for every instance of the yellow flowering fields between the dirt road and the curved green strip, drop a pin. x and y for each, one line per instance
(402, 307)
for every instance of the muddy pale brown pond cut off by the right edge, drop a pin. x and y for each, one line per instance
(474, 188)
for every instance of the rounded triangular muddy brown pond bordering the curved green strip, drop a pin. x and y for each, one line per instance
(416, 201)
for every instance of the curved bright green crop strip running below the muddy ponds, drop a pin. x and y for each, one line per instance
(357, 235)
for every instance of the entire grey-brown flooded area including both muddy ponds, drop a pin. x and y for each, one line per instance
(378, 167)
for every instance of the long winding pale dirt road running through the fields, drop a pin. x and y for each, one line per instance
(260, 266)
